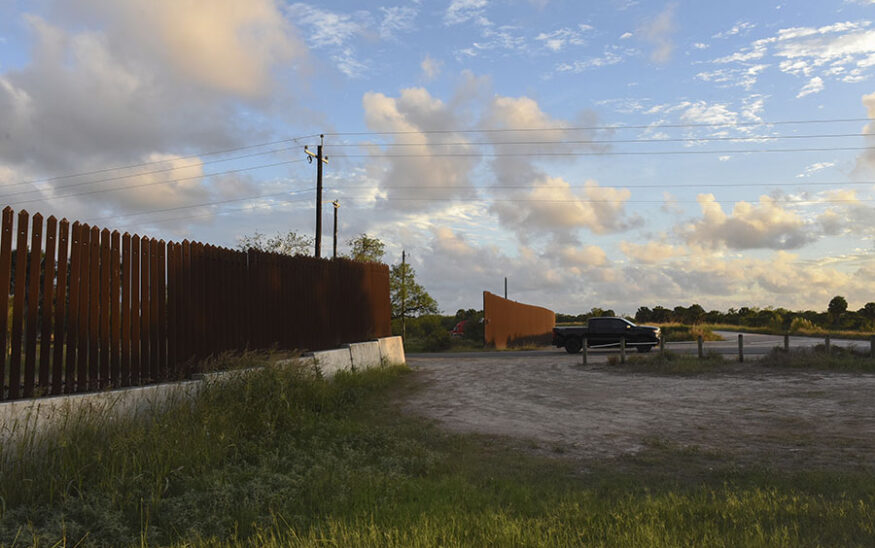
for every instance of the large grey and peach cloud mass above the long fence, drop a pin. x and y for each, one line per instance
(121, 89)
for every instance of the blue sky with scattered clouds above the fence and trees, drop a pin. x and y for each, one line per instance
(613, 154)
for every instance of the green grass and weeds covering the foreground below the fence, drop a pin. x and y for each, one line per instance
(279, 458)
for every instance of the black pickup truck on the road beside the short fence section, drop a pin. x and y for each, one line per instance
(606, 332)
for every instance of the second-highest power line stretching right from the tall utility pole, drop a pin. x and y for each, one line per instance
(611, 141)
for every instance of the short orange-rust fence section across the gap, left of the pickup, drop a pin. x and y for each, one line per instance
(510, 323)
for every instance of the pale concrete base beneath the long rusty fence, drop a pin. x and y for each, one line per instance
(33, 417)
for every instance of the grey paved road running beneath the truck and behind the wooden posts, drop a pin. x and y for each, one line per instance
(755, 345)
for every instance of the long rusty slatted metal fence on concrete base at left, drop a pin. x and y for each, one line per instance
(93, 309)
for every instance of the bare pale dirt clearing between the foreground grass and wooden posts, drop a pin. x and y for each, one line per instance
(601, 411)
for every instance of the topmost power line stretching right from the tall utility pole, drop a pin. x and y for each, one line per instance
(604, 127)
